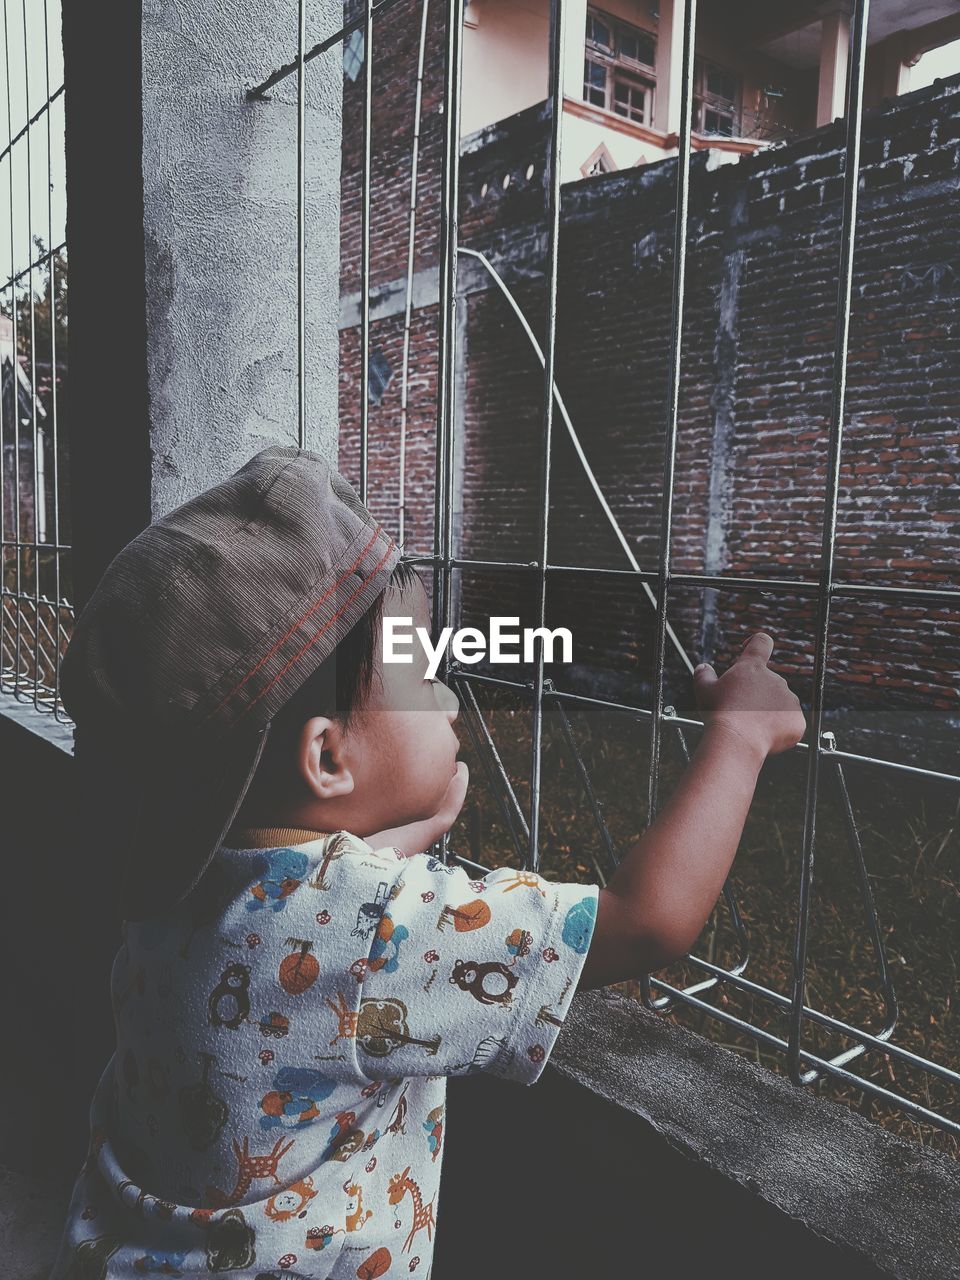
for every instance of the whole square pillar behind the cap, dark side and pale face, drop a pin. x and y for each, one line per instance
(184, 254)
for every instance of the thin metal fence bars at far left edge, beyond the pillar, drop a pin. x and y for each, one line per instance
(35, 627)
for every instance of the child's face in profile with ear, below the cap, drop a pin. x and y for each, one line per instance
(396, 761)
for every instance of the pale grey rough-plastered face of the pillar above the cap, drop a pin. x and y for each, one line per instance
(221, 237)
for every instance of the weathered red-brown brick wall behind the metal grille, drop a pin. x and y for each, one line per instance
(756, 394)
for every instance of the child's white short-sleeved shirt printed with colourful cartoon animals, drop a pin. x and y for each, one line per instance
(276, 1104)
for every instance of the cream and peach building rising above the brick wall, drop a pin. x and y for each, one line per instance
(765, 72)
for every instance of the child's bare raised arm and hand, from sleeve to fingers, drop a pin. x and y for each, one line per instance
(666, 886)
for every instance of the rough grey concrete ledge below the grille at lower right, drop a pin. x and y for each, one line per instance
(847, 1180)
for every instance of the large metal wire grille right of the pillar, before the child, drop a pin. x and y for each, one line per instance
(822, 756)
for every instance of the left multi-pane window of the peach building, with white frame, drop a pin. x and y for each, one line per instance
(615, 54)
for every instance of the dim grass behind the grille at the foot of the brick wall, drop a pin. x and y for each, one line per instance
(911, 836)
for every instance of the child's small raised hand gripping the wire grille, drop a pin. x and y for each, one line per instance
(752, 701)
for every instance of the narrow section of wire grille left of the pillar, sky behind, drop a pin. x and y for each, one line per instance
(36, 618)
